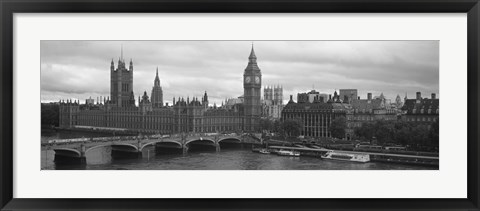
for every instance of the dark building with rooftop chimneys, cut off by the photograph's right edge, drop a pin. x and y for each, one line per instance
(421, 111)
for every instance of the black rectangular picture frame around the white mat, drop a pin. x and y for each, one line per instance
(9, 7)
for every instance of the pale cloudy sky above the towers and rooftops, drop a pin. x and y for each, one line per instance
(80, 69)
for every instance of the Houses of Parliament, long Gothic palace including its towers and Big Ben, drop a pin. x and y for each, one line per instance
(152, 115)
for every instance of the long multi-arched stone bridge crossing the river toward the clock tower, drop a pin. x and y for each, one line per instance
(76, 150)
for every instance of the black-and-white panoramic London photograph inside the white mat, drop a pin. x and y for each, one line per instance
(239, 105)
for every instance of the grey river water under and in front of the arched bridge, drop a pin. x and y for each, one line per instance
(231, 159)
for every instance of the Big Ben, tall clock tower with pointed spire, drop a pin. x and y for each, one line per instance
(252, 83)
